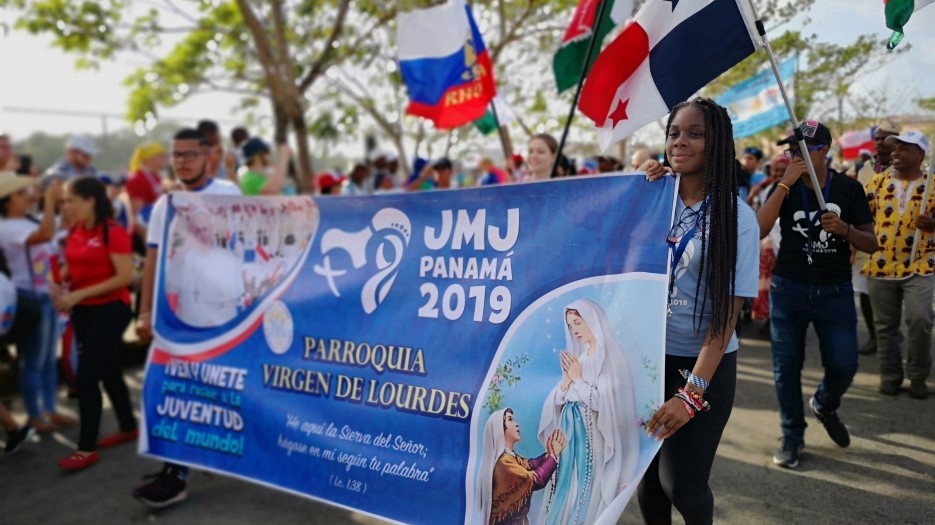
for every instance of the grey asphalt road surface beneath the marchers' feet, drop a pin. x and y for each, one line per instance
(886, 476)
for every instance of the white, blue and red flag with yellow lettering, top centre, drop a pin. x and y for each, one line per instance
(445, 65)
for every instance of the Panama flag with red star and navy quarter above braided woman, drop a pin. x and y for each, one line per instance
(669, 51)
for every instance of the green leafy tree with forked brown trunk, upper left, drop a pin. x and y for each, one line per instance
(276, 49)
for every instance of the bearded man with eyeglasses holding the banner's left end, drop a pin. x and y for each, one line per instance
(189, 159)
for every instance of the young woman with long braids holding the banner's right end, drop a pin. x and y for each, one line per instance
(714, 244)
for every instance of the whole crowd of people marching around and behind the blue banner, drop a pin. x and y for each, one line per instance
(750, 238)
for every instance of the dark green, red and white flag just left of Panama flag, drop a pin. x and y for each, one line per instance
(569, 58)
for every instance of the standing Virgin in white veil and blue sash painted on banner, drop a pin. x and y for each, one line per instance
(598, 416)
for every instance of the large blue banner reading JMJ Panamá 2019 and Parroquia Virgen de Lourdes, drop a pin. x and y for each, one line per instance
(458, 356)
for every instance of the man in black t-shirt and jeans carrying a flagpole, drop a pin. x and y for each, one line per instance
(812, 285)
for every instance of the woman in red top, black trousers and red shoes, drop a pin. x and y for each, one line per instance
(99, 270)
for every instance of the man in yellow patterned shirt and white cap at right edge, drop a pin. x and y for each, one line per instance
(899, 278)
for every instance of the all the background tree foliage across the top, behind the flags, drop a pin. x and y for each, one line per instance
(327, 68)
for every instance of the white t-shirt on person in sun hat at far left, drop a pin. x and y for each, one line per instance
(13, 235)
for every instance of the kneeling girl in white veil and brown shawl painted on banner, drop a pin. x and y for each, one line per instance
(508, 480)
